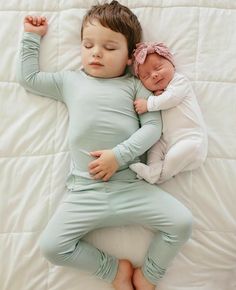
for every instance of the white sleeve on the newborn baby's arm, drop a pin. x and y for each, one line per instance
(174, 94)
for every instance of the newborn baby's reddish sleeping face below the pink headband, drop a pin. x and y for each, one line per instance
(156, 72)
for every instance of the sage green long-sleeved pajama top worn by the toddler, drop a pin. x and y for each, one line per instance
(101, 111)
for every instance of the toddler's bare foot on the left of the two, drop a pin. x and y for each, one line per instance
(123, 279)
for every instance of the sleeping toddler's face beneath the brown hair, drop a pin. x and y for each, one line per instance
(104, 52)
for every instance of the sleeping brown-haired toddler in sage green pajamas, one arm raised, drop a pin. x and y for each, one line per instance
(105, 137)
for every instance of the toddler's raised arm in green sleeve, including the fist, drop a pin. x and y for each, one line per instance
(29, 75)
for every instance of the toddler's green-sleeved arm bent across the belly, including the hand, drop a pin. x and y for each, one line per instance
(108, 161)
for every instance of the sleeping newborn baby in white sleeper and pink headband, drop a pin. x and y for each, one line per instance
(183, 145)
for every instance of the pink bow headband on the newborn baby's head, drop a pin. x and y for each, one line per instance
(145, 48)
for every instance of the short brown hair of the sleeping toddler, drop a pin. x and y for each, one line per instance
(118, 18)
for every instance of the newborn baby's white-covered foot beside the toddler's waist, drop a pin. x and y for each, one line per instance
(150, 173)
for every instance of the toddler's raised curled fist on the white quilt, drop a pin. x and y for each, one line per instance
(36, 24)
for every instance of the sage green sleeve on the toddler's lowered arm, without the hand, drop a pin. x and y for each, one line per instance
(148, 133)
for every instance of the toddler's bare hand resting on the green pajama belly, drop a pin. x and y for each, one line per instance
(104, 166)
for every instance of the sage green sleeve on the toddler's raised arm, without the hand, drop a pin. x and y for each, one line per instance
(29, 74)
